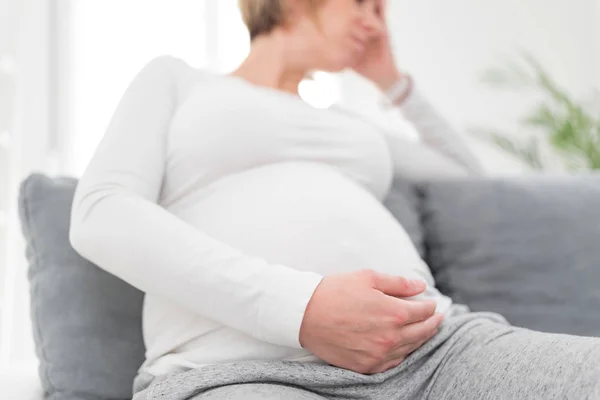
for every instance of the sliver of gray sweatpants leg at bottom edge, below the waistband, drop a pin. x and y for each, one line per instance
(257, 391)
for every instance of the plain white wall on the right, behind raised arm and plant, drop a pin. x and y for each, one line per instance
(447, 45)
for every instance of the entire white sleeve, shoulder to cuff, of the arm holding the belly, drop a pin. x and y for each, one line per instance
(118, 225)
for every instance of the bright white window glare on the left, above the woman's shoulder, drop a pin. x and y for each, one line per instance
(109, 43)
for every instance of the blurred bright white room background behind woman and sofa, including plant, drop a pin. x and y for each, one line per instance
(519, 79)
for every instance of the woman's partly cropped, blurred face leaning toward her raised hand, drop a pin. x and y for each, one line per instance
(341, 32)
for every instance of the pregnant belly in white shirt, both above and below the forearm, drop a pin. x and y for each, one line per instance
(308, 217)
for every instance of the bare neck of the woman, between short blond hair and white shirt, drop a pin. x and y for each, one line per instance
(271, 63)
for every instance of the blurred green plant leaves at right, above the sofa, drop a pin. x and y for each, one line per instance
(569, 127)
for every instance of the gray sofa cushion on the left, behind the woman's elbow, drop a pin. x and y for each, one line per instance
(86, 323)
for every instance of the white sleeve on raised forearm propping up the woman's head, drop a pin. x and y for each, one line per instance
(437, 133)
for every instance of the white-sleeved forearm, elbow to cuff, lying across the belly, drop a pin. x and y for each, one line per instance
(151, 249)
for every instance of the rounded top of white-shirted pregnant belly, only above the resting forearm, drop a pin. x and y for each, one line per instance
(306, 216)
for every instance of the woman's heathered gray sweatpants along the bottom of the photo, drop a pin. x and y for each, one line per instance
(474, 356)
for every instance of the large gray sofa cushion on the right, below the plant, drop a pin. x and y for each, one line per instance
(526, 248)
